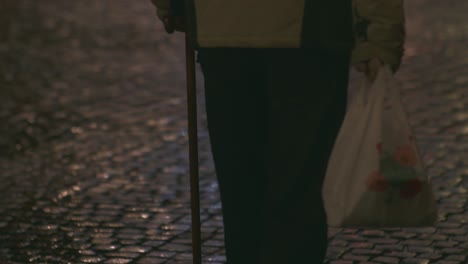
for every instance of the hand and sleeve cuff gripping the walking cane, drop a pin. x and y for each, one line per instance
(171, 23)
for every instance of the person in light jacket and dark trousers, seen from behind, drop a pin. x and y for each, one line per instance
(276, 77)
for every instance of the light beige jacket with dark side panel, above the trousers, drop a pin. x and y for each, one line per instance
(369, 28)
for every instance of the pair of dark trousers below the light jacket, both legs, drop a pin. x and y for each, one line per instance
(273, 116)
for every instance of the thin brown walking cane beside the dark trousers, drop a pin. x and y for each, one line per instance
(179, 8)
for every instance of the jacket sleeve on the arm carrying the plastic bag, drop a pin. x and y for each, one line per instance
(379, 31)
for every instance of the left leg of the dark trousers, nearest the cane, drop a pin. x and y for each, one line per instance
(236, 107)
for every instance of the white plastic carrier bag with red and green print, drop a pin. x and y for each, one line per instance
(375, 175)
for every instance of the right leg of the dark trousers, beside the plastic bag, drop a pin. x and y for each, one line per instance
(307, 97)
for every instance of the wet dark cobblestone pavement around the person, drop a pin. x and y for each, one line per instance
(93, 146)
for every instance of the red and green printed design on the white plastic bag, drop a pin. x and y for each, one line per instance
(398, 172)
